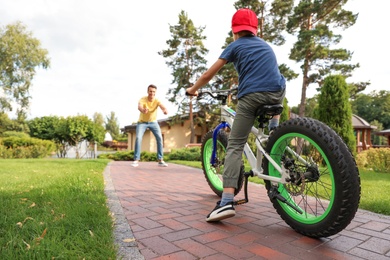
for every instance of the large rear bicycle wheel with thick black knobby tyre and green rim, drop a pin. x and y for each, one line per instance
(324, 180)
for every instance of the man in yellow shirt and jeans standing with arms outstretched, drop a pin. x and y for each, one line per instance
(148, 119)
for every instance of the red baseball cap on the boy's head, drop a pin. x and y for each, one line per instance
(245, 20)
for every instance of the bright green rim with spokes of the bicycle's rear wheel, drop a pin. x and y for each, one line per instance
(314, 198)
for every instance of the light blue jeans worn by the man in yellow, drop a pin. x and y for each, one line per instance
(140, 130)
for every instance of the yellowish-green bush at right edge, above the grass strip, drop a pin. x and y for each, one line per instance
(376, 159)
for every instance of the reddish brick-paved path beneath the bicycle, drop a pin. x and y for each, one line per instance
(165, 209)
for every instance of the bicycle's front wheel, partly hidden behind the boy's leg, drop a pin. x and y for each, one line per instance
(213, 173)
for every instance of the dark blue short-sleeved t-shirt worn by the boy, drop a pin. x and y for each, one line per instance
(256, 65)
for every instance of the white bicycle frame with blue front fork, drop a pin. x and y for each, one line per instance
(227, 119)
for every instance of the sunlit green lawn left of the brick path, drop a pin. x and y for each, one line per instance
(54, 209)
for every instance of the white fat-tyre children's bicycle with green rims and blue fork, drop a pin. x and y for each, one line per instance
(310, 175)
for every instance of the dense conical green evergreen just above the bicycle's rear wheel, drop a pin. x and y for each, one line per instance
(334, 108)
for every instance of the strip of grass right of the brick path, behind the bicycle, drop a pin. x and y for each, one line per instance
(375, 187)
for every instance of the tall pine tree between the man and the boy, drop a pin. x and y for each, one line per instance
(185, 54)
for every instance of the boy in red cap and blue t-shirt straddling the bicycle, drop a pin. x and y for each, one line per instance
(260, 83)
